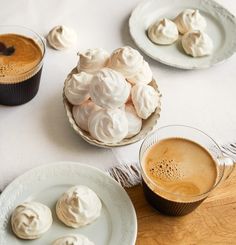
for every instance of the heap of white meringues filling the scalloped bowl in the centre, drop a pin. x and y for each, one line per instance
(111, 94)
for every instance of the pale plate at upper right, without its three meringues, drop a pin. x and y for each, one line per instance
(221, 27)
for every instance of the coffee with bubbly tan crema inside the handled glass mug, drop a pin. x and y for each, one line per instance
(177, 172)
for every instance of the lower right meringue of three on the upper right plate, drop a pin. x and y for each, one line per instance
(197, 43)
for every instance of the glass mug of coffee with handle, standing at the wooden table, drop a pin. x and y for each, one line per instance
(180, 167)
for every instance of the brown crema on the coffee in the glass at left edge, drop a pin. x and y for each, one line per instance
(25, 58)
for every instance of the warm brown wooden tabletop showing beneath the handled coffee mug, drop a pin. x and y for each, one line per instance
(213, 222)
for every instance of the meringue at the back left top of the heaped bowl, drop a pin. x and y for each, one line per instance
(92, 60)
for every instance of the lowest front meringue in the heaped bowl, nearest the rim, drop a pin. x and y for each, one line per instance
(108, 126)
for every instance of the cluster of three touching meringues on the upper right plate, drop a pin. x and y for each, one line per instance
(191, 24)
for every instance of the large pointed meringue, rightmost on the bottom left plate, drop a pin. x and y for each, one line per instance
(78, 206)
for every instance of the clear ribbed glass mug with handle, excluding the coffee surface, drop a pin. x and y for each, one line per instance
(171, 203)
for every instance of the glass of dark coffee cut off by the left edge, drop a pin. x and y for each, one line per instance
(21, 60)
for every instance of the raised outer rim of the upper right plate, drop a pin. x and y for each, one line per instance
(169, 63)
